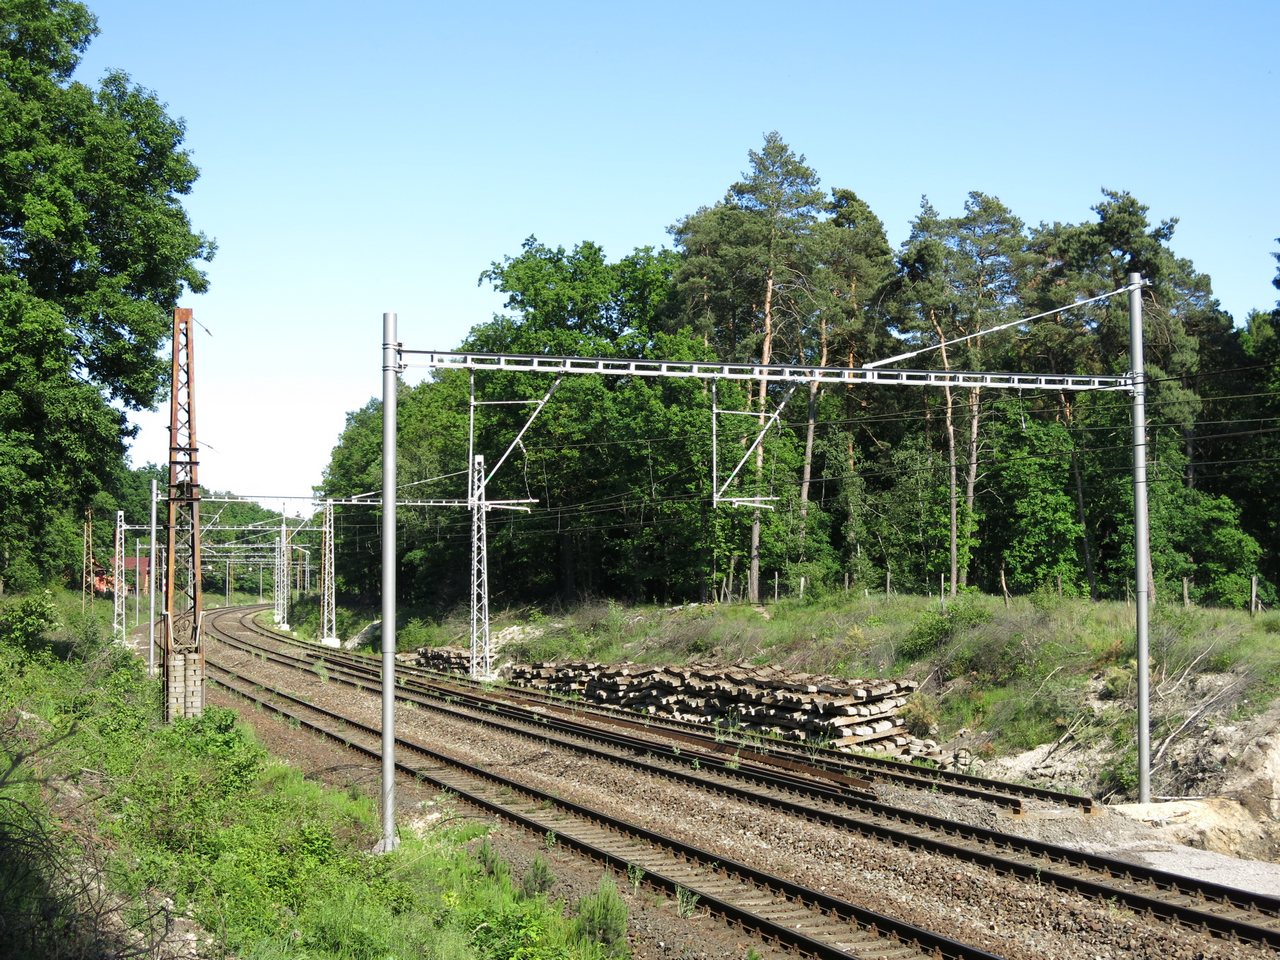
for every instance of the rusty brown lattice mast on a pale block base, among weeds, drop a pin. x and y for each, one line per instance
(184, 666)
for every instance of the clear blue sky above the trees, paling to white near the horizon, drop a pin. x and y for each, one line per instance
(368, 158)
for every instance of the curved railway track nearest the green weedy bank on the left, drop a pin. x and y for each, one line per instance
(781, 912)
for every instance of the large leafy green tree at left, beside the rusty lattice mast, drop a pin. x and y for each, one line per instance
(95, 253)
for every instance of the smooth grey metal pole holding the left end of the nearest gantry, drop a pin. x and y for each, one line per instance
(391, 367)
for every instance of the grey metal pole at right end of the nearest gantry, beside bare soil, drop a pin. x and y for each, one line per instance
(1142, 536)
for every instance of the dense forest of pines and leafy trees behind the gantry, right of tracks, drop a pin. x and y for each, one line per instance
(870, 484)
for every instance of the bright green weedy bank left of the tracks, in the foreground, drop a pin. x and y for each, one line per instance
(116, 828)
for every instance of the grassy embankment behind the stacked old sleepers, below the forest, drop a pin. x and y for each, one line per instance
(1014, 676)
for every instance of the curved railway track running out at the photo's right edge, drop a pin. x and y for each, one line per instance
(847, 806)
